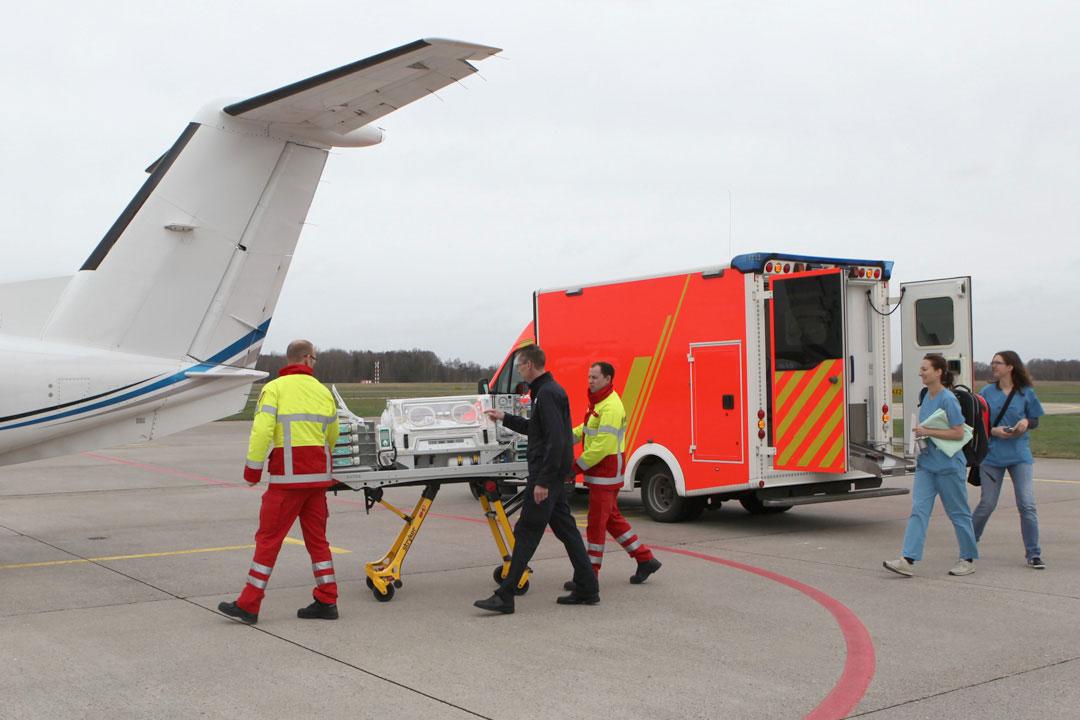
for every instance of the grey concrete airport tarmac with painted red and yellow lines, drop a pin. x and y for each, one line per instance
(113, 565)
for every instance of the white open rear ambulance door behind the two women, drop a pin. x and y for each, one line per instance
(935, 318)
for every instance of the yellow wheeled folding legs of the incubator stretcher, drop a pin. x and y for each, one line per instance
(385, 576)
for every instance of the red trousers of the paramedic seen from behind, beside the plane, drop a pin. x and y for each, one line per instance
(281, 507)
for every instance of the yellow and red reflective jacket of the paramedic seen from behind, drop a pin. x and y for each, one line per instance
(295, 422)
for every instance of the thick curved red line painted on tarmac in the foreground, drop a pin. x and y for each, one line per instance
(860, 663)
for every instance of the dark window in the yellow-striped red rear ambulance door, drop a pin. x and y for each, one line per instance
(808, 318)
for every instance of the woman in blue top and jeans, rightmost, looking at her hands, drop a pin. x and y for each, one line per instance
(1012, 390)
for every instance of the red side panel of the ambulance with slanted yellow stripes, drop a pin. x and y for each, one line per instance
(679, 345)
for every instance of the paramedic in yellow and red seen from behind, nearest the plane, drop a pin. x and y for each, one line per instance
(296, 423)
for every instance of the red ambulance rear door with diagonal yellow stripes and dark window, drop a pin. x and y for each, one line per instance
(807, 372)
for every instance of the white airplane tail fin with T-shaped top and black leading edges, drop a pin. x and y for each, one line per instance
(194, 266)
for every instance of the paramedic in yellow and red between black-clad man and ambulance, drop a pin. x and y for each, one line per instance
(602, 463)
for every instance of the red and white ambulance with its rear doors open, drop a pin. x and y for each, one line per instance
(767, 382)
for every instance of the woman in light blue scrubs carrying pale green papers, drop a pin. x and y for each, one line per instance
(938, 474)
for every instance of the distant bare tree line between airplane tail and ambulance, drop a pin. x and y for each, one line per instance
(414, 365)
